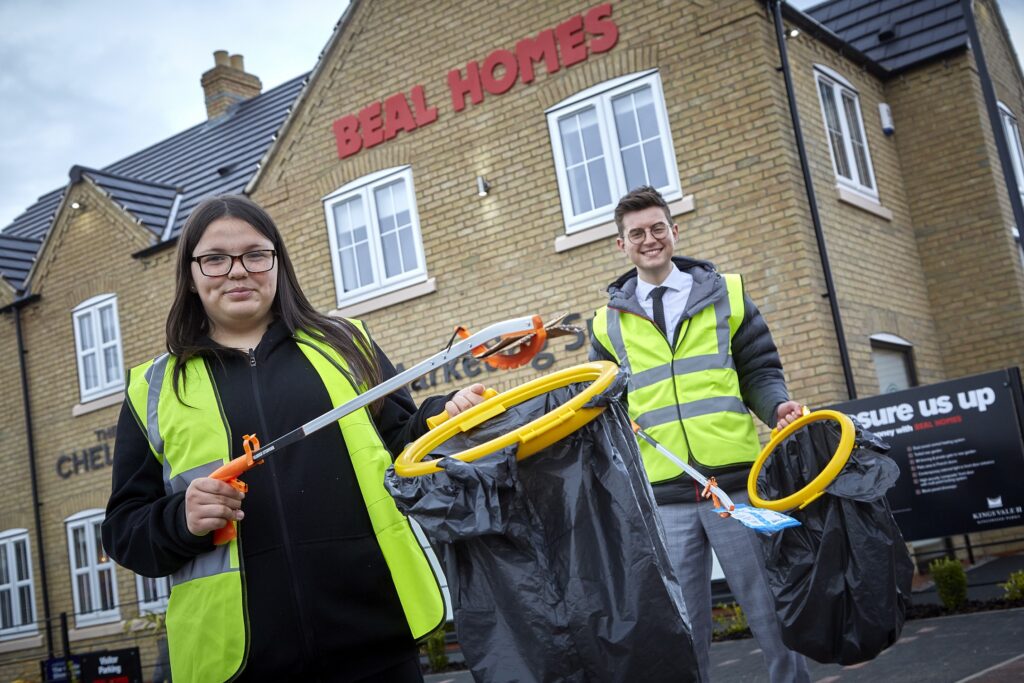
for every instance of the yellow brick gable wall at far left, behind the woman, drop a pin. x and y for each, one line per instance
(89, 254)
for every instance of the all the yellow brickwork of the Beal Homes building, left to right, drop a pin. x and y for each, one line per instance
(916, 276)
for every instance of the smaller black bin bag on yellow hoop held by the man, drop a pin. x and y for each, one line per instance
(842, 580)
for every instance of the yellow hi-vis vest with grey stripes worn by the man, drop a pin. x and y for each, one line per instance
(688, 398)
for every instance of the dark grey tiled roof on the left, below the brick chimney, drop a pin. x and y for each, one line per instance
(161, 185)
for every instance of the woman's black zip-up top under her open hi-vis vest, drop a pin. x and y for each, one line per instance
(321, 602)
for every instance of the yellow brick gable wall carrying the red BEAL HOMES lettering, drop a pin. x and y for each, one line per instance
(493, 258)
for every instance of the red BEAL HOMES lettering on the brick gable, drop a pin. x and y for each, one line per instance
(569, 44)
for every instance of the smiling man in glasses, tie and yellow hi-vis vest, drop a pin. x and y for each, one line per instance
(699, 355)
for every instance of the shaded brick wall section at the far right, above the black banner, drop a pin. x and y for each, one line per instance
(959, 205)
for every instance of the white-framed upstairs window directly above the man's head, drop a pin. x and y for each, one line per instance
(608, 141)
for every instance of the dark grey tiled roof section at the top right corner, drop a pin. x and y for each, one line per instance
(897, 34)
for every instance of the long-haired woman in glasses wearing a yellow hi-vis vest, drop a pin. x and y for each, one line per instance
(325, 581)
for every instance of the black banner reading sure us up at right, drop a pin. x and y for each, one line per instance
(960, 450)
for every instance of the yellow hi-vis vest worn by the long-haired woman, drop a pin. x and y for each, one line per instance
(207, 625)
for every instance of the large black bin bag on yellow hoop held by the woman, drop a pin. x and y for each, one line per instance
(557, 565)
